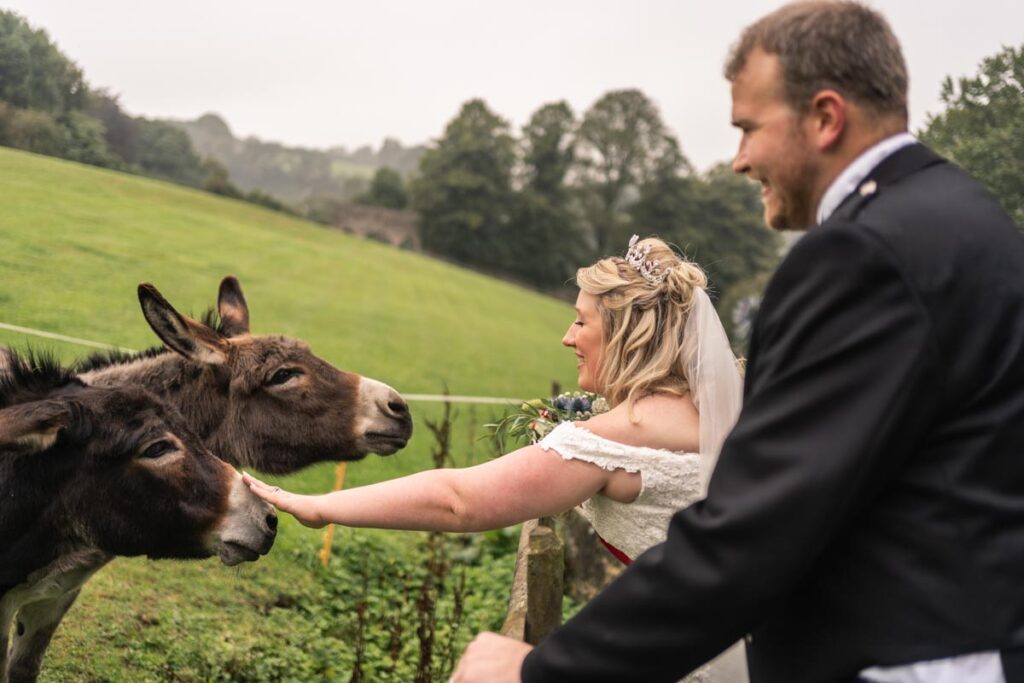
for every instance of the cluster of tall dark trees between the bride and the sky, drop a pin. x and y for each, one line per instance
(570, 190)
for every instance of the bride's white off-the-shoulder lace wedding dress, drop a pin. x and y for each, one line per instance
(670, 482)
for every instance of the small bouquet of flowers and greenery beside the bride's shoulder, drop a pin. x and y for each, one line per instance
(538, 417)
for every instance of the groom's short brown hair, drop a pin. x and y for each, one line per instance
(830, 45)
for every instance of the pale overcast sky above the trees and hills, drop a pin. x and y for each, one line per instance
(328, 73)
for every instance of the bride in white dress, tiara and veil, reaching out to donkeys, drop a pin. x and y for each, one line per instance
(648, 338)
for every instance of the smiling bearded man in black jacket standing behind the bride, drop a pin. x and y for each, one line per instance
(867, 518)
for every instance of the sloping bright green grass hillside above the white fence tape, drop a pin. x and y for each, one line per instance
(77, 241)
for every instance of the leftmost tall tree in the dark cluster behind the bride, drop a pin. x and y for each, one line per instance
(464, 190)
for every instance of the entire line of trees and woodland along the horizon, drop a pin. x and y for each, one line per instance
(533, 204)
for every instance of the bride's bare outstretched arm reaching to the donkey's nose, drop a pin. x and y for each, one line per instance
(524, 485)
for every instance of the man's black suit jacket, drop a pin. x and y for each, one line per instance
(869, 507)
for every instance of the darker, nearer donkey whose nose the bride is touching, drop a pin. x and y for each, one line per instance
(89, 474)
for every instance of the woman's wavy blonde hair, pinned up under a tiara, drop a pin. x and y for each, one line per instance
(644, 323)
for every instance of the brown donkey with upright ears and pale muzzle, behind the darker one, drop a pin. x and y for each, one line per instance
(261, 402)
